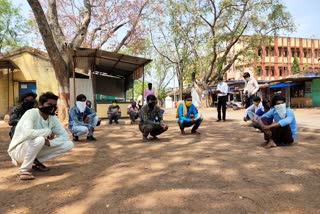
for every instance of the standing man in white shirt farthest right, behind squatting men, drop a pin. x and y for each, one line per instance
(250, 89)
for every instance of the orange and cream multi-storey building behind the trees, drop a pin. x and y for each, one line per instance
(275, 60)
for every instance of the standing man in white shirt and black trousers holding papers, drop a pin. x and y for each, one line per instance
(222, 92)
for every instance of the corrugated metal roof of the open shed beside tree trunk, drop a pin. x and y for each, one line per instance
(110, 63)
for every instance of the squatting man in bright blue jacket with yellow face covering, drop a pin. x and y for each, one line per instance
(188, 116)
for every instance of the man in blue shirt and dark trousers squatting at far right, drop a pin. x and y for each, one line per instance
(283, 130)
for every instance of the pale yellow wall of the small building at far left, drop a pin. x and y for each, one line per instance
(30, 68)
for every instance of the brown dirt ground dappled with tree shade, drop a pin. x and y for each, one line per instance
(224, 170)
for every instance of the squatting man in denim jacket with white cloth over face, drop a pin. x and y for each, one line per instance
(82, 120)
